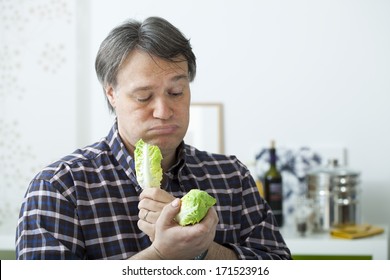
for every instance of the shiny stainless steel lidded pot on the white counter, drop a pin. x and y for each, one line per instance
(336, 194)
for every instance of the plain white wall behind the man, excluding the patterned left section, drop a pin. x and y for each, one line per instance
(313, 73)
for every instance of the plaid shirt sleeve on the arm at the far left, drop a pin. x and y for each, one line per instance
(48, 226)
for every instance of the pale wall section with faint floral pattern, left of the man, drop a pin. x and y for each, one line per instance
(37, 62)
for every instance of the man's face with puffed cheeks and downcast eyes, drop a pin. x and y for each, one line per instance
(151, 101)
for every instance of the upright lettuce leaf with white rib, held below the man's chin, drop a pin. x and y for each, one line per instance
(148, 164)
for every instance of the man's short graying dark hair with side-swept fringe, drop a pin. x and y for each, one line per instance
(155, 36)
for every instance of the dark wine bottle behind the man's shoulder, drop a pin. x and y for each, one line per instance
(273, 187)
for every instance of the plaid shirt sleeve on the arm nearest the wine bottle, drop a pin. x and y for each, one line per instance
(260, 237)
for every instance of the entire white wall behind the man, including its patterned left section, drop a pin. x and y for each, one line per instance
(305, 73)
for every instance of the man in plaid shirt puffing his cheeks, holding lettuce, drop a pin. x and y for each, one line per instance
(89, 204)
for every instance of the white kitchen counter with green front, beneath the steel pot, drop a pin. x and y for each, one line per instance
(324, 246)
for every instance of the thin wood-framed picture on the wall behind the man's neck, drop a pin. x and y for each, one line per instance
(205, 131)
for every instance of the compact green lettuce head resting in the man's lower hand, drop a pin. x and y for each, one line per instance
(194, 207)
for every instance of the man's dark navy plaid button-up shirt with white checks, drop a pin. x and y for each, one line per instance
(85, 206)
